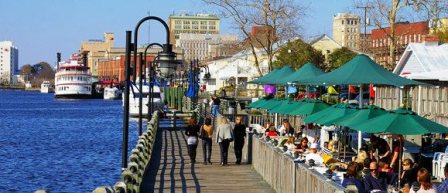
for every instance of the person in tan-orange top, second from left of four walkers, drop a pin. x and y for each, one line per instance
(206, 135)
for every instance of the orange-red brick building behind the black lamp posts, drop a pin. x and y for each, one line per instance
(113, 70)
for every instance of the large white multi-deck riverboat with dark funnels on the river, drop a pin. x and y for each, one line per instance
(73, 79)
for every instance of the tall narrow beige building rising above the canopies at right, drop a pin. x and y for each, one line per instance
(346, 30)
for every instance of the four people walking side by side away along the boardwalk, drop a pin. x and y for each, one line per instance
(224, 135)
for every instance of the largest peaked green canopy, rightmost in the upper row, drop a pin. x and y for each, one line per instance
(360, 70)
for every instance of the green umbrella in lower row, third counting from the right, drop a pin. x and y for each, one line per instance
(327, 116)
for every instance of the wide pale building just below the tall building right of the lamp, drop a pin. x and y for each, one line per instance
(204, 46)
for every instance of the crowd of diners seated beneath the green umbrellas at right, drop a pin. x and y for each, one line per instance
(374, 169)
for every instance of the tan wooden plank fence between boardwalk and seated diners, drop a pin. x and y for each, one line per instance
(284, 175)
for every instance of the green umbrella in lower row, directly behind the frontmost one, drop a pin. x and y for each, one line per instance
(360, 116)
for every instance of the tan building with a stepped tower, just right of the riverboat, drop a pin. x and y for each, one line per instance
(96, 50)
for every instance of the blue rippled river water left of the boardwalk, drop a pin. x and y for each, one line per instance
(59, 145)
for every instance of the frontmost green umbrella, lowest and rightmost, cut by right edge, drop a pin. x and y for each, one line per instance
(401, 121)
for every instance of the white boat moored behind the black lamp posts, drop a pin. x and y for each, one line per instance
(134, 100)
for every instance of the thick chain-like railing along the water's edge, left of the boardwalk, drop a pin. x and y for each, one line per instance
(132, 176)
